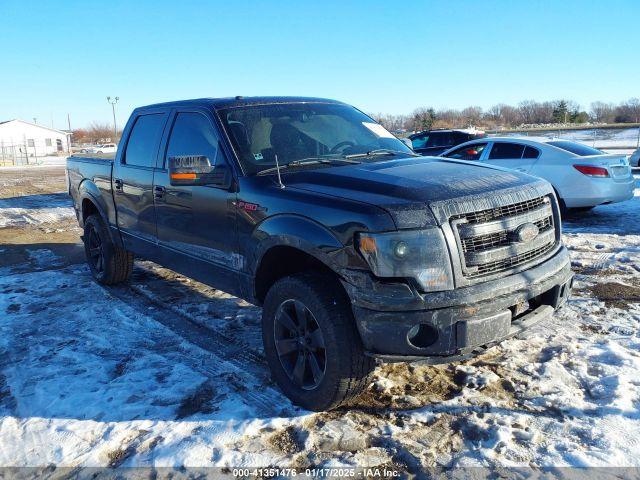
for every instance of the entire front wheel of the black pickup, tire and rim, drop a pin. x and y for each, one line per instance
(311, 343)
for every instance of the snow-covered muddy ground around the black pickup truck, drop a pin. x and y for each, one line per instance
(168, 372)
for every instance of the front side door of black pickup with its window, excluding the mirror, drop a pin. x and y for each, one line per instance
(197, 223)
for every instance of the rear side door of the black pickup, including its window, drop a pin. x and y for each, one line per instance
(132, 181)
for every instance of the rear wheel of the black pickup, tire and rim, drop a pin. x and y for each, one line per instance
(109, 264)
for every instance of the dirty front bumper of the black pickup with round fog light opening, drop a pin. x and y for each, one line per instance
(396, 323)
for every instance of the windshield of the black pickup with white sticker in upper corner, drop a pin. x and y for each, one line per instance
(306, 133)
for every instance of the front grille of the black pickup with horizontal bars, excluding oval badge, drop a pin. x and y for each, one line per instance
(488, 238)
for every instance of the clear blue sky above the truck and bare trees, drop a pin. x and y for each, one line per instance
(60, 57)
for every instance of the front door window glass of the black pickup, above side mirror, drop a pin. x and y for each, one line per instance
(192, 134)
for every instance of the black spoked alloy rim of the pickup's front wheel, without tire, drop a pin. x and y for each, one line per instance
(300, 344)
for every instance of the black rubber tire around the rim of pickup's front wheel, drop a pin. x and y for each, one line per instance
(348, 369)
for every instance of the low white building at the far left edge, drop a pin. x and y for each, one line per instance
(25, 140)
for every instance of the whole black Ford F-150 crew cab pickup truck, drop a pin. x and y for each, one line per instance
(358, 249)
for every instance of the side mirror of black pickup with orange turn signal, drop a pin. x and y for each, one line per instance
(196, 170)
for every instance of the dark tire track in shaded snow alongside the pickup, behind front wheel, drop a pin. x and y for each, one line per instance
(248, 364)
